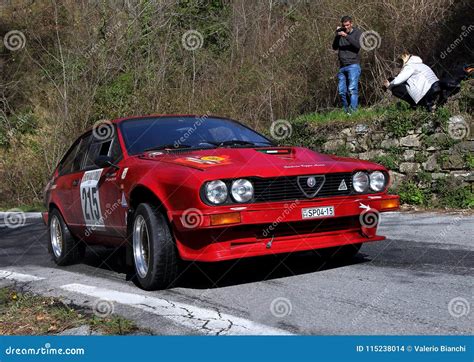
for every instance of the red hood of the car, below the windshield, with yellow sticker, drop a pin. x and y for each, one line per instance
(260, 162)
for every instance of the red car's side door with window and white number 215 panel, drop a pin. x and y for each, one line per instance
(101, 211)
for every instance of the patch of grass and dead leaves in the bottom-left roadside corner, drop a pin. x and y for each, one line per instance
(28, 314)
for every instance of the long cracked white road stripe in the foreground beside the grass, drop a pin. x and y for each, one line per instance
(204, 320)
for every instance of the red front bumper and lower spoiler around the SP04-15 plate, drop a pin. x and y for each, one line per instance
(278, 228)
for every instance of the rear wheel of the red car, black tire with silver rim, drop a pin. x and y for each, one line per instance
(71, 250)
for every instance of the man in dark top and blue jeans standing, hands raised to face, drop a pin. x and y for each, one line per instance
(347, 43)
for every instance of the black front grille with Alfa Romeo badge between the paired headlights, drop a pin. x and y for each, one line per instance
(296, 188)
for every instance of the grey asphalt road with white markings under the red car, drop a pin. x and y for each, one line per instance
(418, 281)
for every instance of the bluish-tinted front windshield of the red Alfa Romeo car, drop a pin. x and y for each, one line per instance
(145, 134)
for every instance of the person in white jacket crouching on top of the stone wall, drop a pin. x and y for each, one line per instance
(416, 84)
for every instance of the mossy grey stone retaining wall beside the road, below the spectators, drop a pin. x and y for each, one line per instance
(436, 151)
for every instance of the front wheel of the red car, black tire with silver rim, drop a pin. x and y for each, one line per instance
(163, 259)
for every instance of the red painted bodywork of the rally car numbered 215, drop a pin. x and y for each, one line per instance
(203, 232)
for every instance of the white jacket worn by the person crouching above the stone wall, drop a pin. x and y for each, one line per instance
(419, 78)
